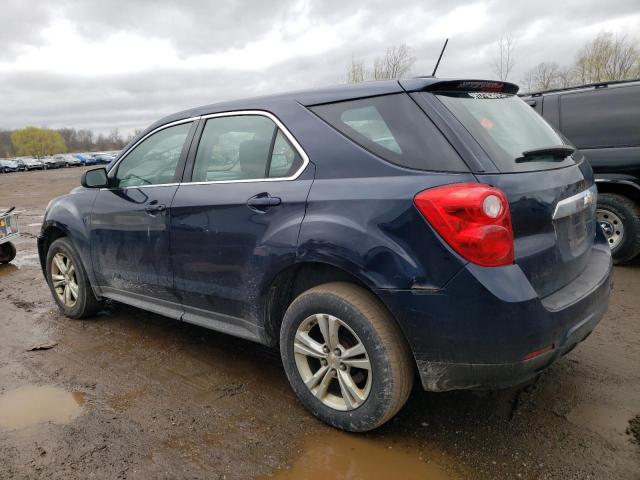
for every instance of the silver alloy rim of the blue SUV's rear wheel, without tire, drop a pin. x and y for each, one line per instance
(332, 362)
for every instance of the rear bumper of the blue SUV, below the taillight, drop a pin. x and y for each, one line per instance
(482, 330)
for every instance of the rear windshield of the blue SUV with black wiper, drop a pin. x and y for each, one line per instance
(506, 128)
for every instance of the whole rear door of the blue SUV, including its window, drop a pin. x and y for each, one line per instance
(236, 218)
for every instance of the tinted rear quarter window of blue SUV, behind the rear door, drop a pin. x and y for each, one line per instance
(393, 127)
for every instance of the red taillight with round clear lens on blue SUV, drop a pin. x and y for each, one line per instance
(473, 218)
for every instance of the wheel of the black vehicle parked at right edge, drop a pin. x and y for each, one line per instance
(620, 218)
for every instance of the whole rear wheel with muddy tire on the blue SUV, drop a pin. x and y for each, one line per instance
(345, 356)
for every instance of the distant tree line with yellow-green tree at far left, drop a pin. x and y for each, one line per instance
(39, 142)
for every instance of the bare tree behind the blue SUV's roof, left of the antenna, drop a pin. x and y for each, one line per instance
(395, 63)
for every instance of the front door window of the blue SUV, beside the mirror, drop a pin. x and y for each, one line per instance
(154, 161)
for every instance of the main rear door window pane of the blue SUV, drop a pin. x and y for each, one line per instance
(234, 148)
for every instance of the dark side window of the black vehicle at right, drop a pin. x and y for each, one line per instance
(607, 117)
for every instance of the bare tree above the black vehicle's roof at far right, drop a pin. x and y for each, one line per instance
(607, 57)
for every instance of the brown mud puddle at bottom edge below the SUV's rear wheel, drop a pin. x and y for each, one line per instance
(338, 456)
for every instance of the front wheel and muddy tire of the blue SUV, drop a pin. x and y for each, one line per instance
(68, 281)
